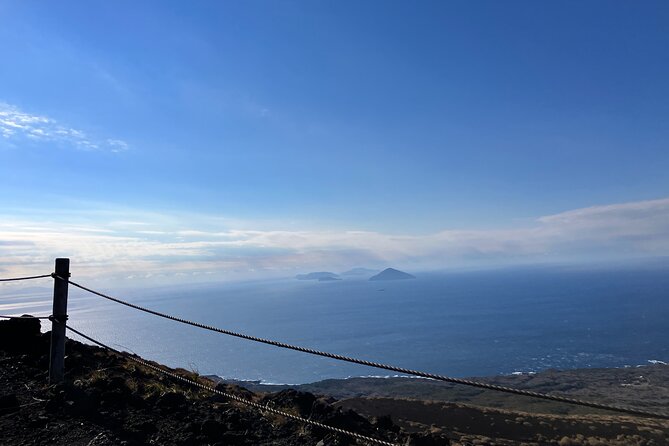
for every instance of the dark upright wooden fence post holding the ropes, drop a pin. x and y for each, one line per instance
(57, 356)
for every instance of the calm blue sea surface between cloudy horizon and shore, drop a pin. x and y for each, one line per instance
(460, 324)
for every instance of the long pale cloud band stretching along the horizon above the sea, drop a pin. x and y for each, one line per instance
(149, 245)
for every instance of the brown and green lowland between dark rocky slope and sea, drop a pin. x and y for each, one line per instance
(468, 414)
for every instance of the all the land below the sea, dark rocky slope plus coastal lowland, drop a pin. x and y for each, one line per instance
(107, 399)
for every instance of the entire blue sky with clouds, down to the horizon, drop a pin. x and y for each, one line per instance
(267, 137)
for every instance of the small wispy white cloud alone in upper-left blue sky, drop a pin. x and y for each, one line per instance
(17, 125)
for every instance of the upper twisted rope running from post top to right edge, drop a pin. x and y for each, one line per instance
(466, 382)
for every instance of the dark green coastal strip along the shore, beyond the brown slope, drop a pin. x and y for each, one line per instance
(644, 386)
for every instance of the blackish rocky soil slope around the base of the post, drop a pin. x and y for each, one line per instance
(107, 399)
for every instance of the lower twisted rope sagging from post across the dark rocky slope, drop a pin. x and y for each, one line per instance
(262, 407)
